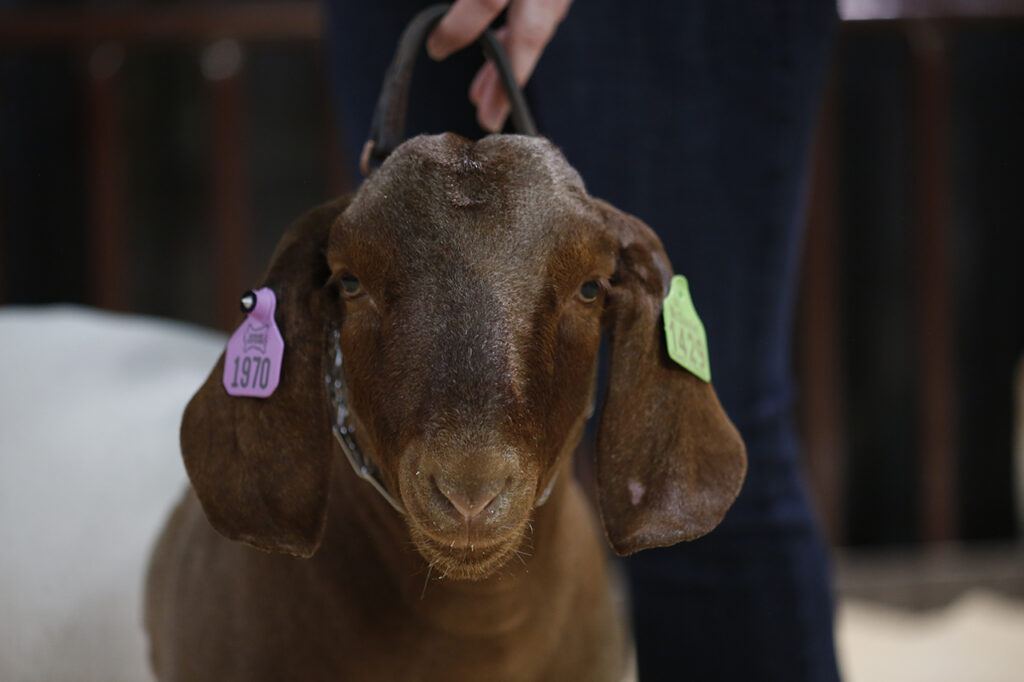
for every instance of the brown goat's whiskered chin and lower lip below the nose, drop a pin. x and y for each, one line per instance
(473, 562)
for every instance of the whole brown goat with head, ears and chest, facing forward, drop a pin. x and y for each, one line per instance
(466, 286)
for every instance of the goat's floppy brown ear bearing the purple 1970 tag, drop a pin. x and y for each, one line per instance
(262, 467)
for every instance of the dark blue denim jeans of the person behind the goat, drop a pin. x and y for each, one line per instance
(697, 117)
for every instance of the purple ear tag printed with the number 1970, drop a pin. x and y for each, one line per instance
(252, 361)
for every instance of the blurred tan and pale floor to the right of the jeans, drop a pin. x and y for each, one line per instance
(941, 613)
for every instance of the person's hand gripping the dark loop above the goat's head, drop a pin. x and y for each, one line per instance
(529, 30)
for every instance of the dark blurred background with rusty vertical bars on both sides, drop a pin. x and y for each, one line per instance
(152, 153)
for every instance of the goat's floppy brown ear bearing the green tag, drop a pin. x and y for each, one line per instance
(670, 463)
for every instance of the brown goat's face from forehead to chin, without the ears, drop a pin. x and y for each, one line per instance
(471, 281)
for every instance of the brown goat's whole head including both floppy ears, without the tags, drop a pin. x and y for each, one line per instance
(467, 287)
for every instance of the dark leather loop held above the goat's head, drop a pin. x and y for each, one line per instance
(389, 127)
